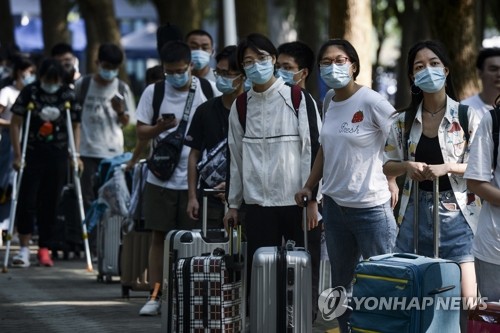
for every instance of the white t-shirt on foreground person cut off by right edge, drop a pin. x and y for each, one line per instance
(486, 246)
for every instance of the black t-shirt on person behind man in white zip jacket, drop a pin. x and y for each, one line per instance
(209, 125)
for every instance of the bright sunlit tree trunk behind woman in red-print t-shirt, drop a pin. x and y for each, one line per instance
(352, 20)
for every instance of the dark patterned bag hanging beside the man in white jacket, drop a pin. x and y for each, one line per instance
(212, 168)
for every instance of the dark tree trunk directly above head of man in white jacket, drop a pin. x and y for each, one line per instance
(251, 16)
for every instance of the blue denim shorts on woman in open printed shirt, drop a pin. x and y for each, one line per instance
(455, 234)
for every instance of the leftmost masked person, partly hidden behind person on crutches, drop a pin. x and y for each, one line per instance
(24, 74)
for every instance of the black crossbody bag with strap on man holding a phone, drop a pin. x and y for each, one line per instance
(167, 151)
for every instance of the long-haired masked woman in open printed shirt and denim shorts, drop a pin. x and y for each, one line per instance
(427, 142)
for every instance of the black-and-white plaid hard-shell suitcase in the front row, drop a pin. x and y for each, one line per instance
(208, 292)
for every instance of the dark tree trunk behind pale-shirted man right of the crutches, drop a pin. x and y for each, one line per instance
(101, 26)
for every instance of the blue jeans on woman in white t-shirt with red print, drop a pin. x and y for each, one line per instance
(352, 233)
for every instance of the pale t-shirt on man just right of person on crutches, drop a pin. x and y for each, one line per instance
(101, 131)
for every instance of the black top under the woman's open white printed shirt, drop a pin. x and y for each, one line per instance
(429, 151)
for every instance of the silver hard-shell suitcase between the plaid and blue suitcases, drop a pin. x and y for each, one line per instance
(281, 289)
